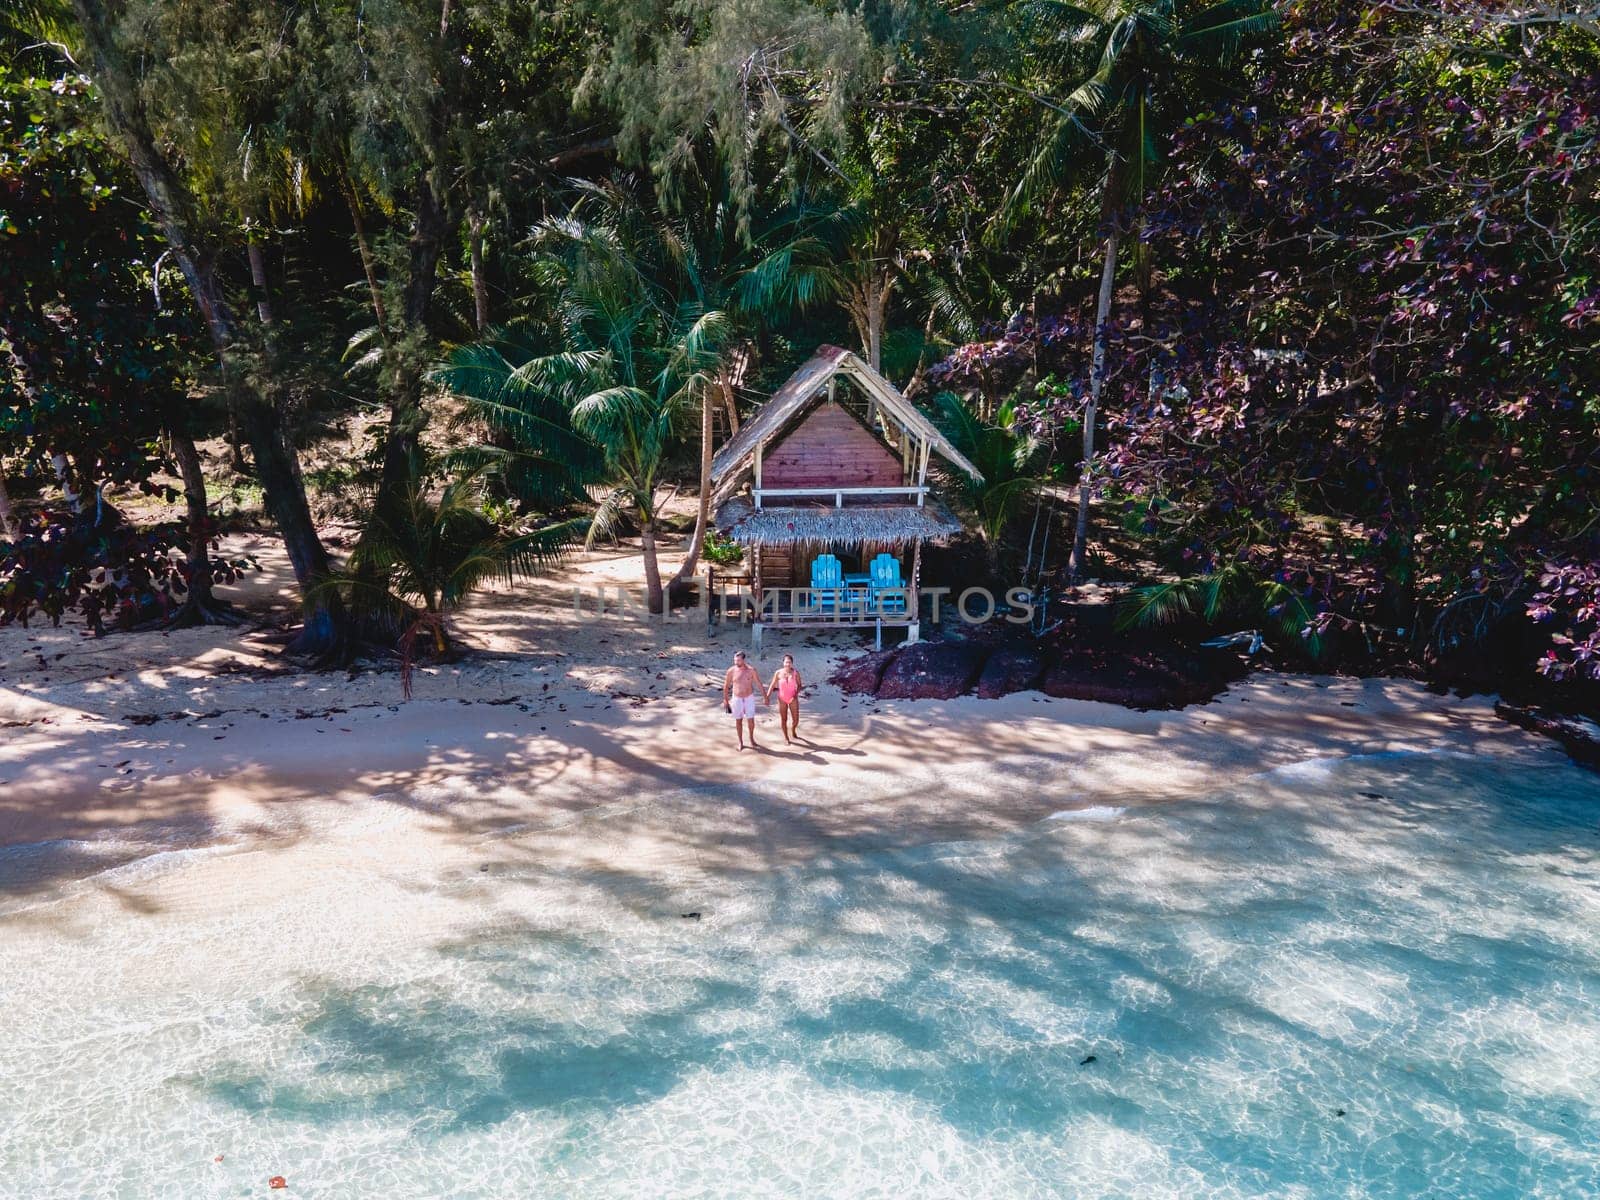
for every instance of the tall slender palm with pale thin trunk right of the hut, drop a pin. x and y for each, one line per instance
(1158, 63)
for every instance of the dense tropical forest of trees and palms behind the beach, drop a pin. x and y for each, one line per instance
(1286, 313)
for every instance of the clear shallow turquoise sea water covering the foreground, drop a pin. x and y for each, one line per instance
(1377, 978)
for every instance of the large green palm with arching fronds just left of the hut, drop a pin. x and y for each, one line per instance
(655, 318)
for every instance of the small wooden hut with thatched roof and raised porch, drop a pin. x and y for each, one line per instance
(834, 463)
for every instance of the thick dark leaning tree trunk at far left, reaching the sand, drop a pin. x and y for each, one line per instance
(326, 630)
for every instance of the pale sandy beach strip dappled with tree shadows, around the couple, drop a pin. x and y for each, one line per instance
(129, 745)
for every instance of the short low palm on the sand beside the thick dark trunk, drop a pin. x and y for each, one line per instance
(420, 558)
